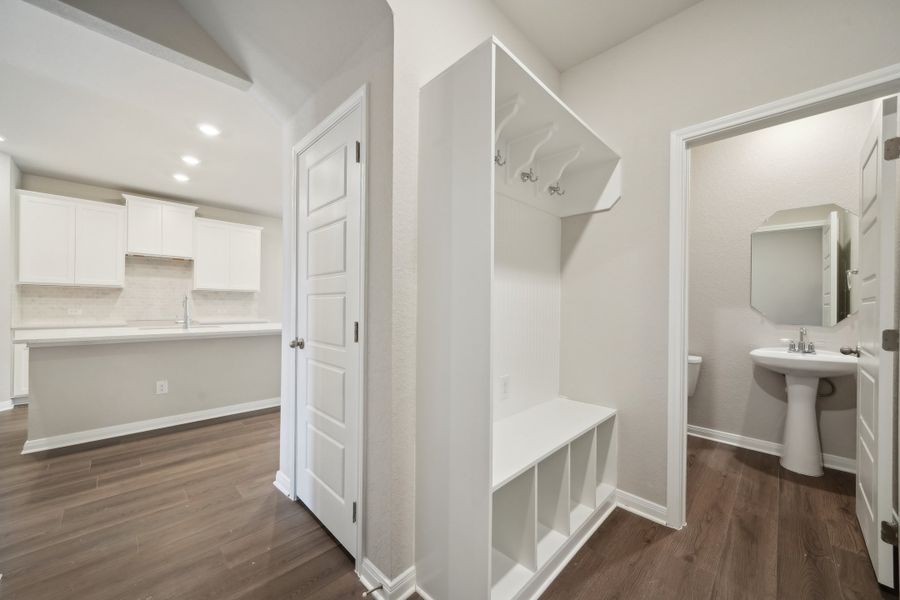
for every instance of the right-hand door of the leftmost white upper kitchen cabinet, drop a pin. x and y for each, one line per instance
(100, 245)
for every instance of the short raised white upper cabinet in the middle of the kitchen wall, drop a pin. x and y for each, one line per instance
(160, 228)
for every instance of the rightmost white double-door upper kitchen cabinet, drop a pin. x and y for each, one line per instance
(227, 256)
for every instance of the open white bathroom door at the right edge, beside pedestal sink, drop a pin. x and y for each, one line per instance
(874, 447)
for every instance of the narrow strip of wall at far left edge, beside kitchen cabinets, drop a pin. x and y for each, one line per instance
(9, 180)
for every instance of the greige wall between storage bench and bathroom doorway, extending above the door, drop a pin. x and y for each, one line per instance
(714, 59)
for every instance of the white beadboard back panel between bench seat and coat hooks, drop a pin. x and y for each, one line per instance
(526, 290)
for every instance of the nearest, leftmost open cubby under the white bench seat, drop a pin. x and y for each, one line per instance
(513, 536)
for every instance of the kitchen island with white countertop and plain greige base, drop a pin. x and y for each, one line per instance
(93, 383)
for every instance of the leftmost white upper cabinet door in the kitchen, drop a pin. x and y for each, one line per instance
(46, 241)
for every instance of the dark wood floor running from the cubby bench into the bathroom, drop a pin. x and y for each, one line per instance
(755, 531)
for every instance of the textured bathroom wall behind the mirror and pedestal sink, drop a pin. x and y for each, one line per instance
(736, 184)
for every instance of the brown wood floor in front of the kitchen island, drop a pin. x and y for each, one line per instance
(184, 514)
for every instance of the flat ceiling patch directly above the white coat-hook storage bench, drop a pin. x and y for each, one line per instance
(569, 32)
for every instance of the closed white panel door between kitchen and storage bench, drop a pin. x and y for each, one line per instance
(328, 303)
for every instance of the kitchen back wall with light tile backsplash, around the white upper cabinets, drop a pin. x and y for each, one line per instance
(153, 287)
